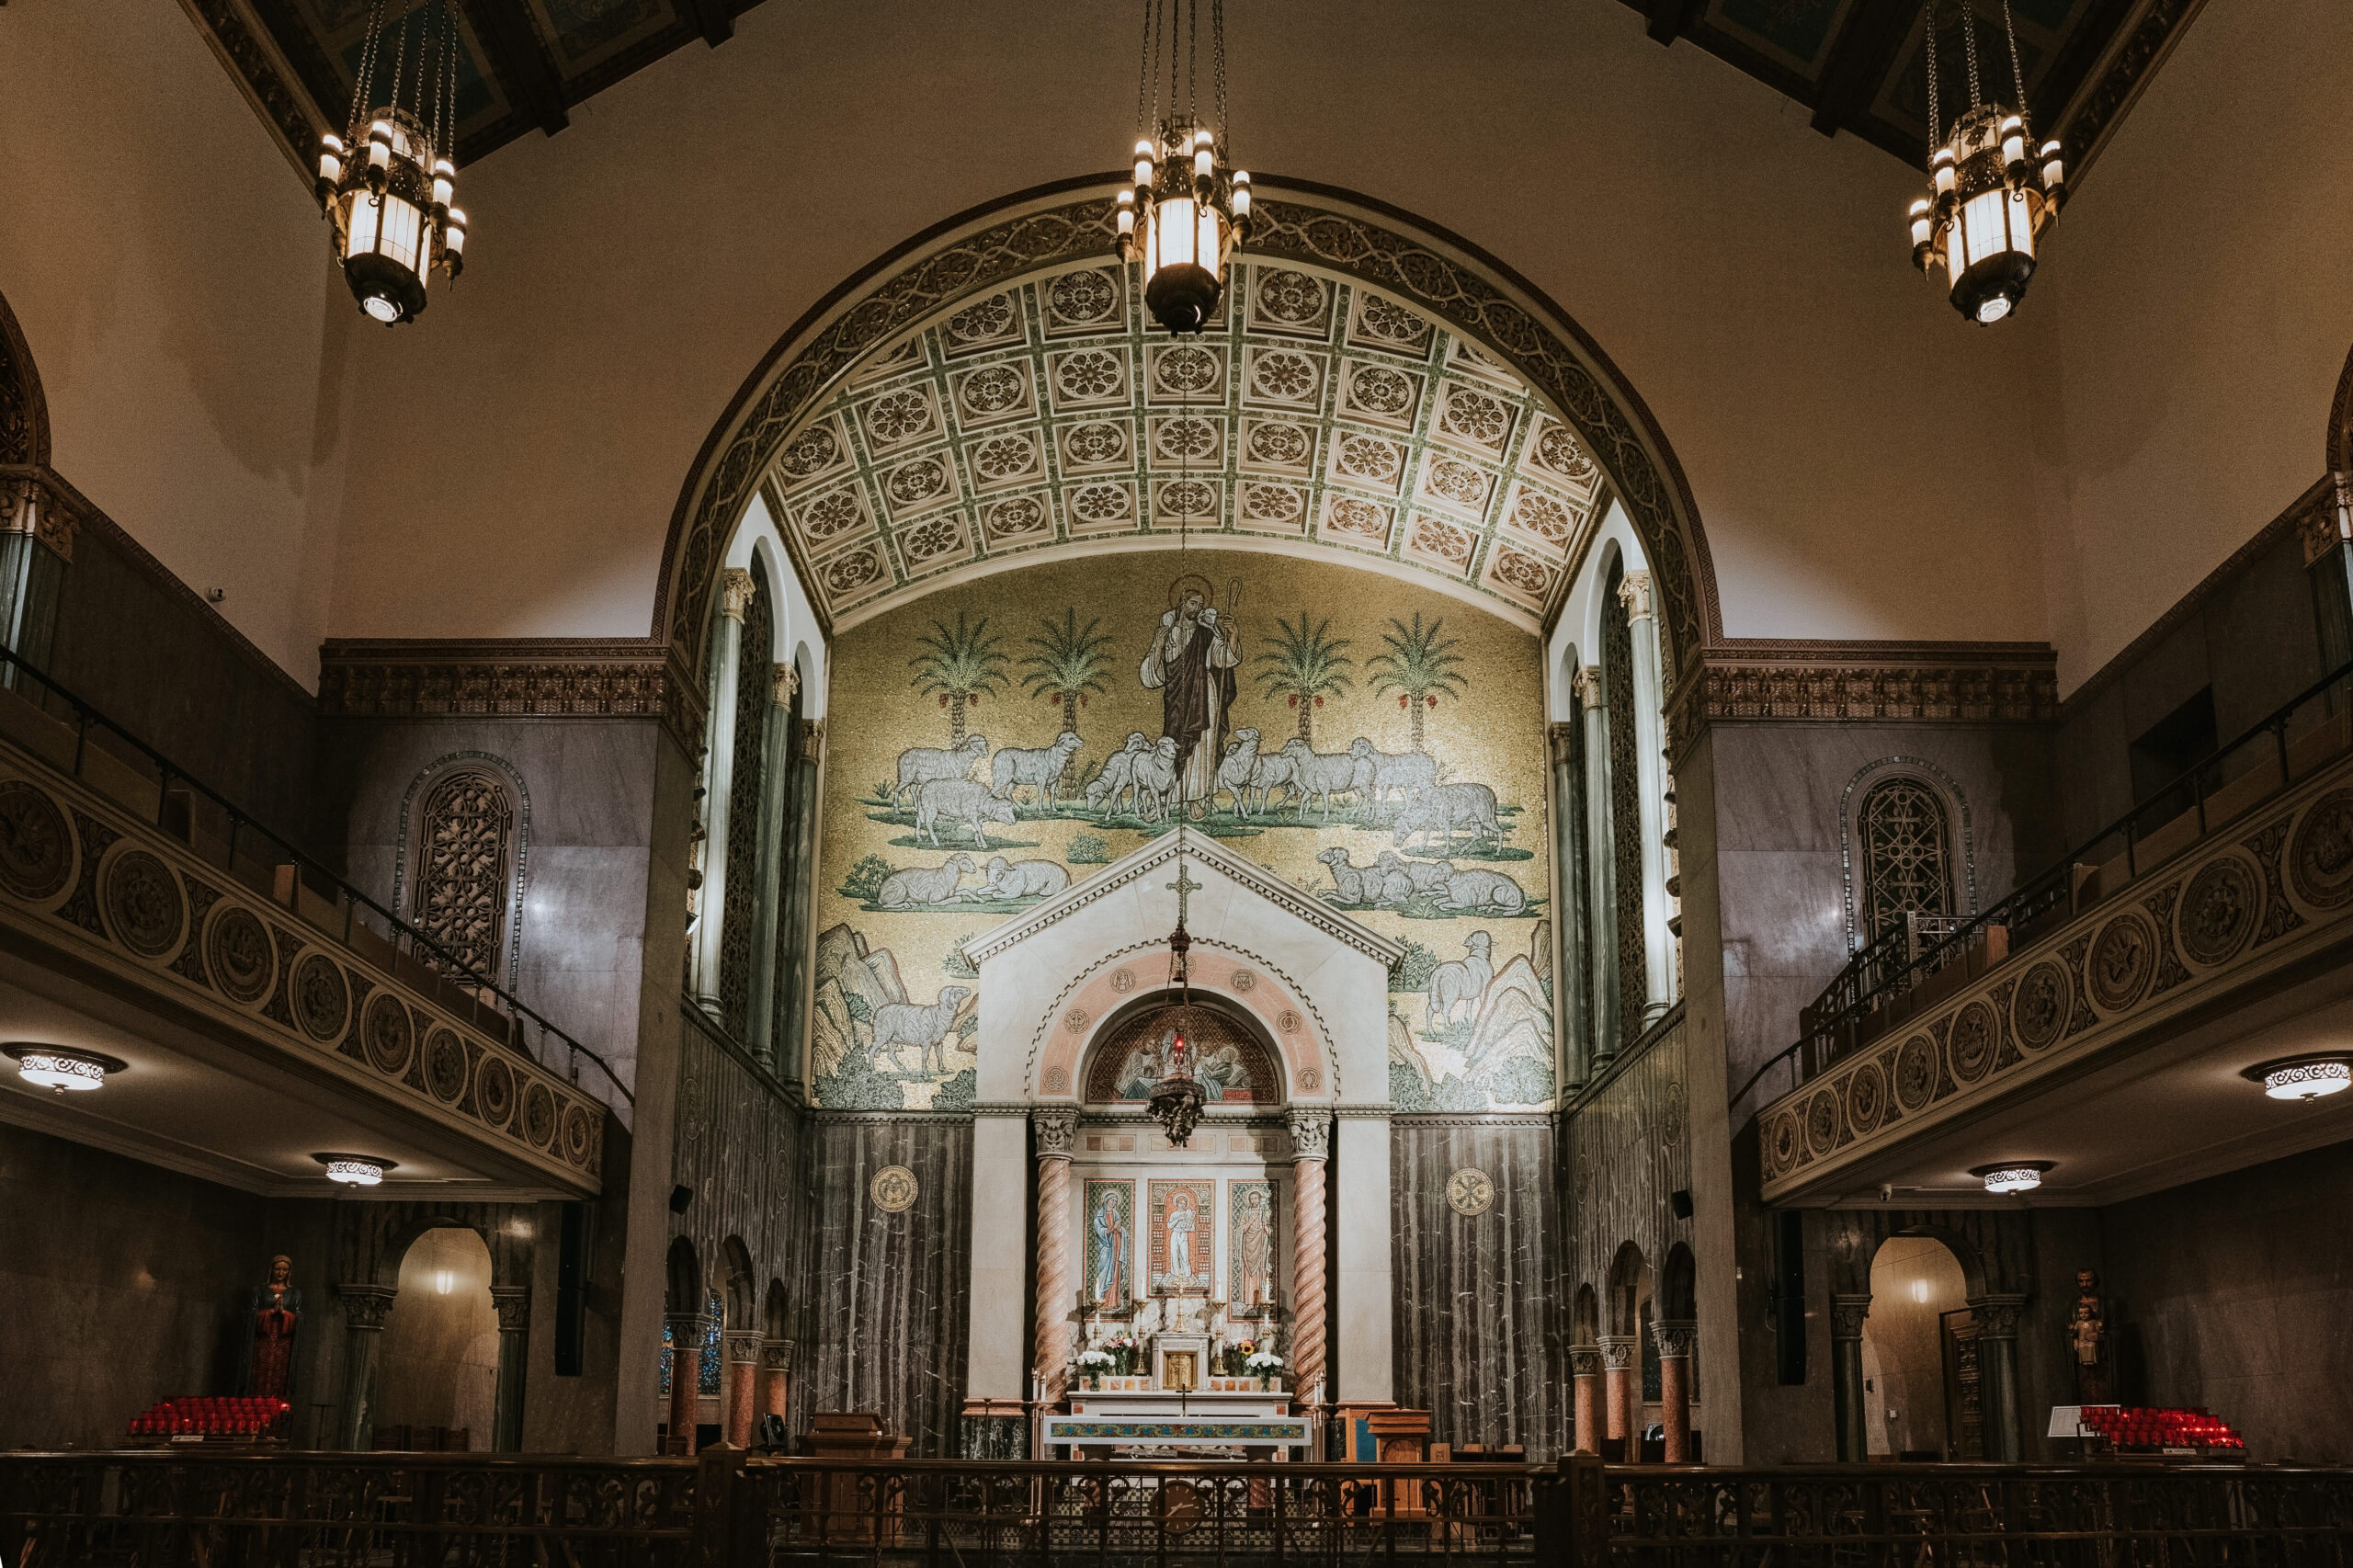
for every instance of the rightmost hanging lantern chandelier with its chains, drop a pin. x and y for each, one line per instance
(1987, 199)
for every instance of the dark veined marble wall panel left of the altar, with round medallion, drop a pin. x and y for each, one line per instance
(888, 1289)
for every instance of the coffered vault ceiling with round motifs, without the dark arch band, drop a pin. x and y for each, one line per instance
(1314, 413)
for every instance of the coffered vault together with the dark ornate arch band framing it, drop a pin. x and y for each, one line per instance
(1373, 390)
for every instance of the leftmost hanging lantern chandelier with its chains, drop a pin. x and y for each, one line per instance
(389, 187)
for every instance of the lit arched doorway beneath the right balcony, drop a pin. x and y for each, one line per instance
(1919, 1355)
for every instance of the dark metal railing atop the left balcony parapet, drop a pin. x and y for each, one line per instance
(102, 755)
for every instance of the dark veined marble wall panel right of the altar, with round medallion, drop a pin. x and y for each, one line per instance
(1479, 1305)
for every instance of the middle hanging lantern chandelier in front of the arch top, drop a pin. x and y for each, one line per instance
(1187, 208)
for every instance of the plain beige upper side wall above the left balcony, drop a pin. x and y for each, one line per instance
(171, 274)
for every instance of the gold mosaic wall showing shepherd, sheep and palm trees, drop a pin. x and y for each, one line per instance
(1368, 740)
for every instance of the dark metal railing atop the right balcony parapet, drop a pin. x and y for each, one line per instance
(1891, 974)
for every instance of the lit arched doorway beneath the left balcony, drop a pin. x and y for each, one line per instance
(441, 1348)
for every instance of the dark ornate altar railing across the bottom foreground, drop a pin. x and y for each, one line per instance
(752, 1513)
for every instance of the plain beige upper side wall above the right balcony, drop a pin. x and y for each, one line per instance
(2197, 310)
